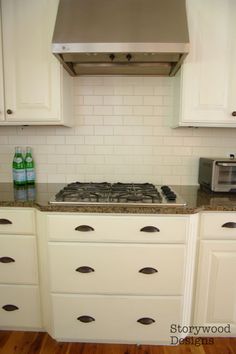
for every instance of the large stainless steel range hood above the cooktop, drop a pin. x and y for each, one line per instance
(121, 37)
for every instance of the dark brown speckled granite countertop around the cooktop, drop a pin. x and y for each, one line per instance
(38, 196)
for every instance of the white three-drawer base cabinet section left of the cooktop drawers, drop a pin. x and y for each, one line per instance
(19, 289)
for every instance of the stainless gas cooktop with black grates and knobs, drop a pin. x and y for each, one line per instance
(79, 193)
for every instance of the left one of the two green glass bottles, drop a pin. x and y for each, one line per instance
(18, 168)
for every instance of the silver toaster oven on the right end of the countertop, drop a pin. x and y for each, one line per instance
(217, 174)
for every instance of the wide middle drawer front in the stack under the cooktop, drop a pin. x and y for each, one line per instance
(120, 268)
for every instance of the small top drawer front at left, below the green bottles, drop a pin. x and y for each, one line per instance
(17, 222)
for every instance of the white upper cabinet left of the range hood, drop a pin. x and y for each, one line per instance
(37, 89)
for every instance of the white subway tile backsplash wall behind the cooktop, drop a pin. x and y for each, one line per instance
(121, 133)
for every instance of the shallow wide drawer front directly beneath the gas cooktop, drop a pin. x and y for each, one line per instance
(136, 228)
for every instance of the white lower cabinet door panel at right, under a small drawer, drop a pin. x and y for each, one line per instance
(216, 299)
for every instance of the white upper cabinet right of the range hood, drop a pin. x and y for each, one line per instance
(208, 76)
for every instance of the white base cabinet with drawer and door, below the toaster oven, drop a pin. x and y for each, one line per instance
(216, 286)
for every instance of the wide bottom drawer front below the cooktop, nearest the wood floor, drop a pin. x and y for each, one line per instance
(114, 318)
